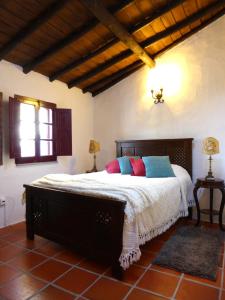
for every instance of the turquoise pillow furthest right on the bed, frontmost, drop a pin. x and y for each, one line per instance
(158, 166)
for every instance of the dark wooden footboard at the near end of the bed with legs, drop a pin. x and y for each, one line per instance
(93, 226)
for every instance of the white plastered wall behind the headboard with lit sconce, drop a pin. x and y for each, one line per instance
(193, 77)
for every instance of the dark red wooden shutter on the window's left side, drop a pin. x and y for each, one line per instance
(14, 147)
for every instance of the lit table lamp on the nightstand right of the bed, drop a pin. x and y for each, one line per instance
(210, 147)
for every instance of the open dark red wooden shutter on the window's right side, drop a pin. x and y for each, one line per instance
(62, 131)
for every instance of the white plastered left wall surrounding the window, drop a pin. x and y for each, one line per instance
(12, 177)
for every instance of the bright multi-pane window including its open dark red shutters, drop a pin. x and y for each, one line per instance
(37, 129)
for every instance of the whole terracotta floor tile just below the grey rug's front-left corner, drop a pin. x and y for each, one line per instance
(157, 282)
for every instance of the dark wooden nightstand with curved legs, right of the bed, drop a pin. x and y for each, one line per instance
(211, 185)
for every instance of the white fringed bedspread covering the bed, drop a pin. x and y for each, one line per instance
(152, 204)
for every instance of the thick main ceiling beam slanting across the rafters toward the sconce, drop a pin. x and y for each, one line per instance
(103, 15)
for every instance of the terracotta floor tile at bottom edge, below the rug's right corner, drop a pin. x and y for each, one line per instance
(194, 291)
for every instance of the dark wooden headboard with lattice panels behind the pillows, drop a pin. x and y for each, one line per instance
(179, 150)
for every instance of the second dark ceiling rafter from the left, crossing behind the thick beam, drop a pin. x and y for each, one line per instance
(69, 39)
